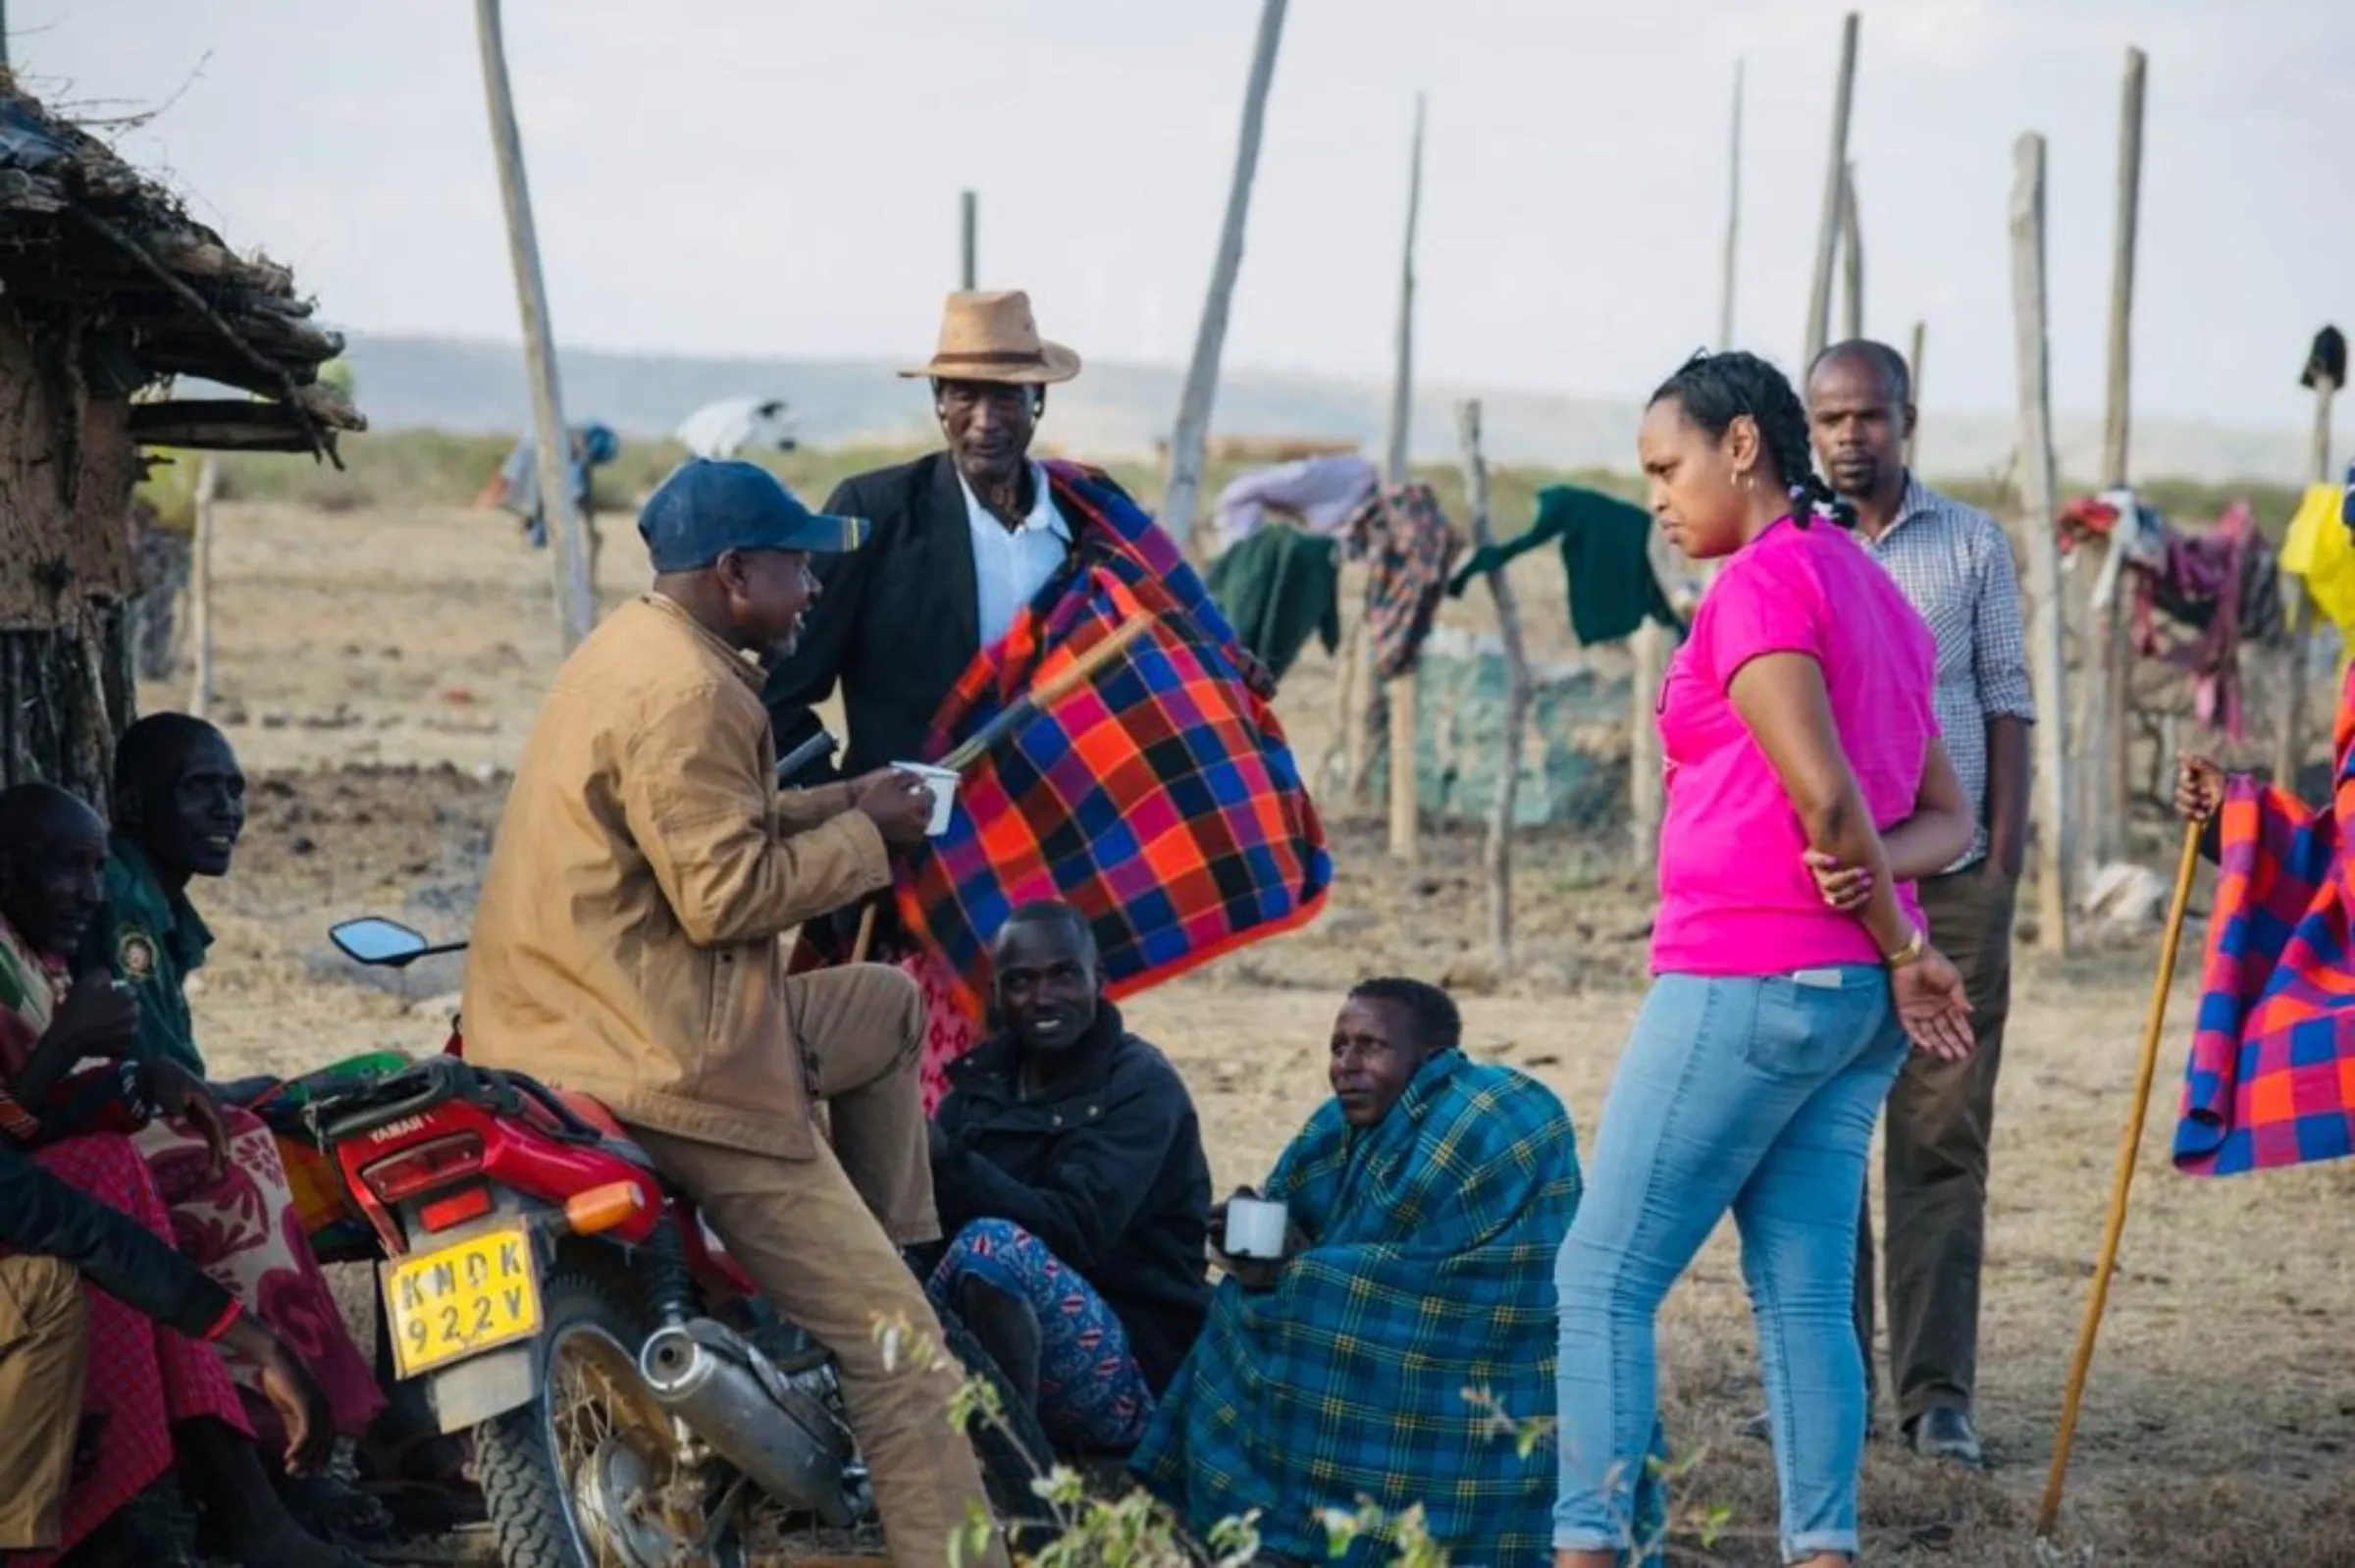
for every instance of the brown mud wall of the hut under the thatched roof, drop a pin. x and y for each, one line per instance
(67, 566)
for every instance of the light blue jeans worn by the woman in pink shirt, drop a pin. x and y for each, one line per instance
(1753, 1096)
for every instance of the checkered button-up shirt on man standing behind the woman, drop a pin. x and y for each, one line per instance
(1956, 566)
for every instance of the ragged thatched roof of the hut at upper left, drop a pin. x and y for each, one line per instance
(95, 248)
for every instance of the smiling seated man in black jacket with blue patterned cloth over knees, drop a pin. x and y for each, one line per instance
(1075, 1195)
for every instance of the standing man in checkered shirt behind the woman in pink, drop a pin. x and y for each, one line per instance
(1956, 566)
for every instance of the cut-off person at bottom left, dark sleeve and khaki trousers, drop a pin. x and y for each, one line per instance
(55, 1240)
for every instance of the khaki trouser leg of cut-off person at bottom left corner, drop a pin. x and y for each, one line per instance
(44, 1353)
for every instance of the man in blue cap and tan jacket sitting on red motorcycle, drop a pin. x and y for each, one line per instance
(628, 945)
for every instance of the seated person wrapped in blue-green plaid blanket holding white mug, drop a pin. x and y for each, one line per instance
(1402, 1348)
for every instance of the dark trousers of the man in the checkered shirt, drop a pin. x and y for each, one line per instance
(1935, 1169)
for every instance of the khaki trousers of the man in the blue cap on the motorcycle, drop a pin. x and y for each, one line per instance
(821, 1240)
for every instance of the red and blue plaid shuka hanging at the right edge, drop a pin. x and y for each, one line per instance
(2271, 1077)
